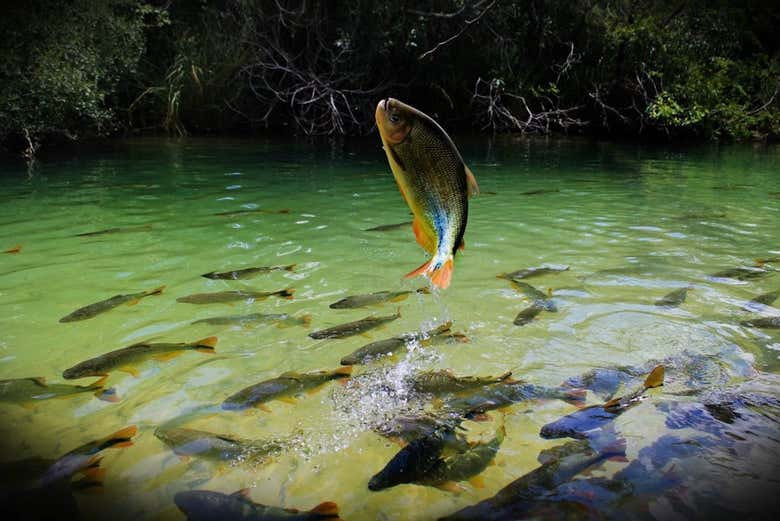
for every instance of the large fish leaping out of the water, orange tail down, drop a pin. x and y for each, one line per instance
(433, 180)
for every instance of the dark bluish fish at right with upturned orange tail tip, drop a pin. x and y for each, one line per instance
(589, 421)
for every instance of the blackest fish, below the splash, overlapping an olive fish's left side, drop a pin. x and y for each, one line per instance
(411, 463)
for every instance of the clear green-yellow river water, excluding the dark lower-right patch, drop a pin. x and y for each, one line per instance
(632, 223)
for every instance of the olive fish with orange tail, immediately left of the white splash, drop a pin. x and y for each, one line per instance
(284, 387)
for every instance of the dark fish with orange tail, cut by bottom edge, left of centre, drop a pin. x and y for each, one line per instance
(206, 505)
